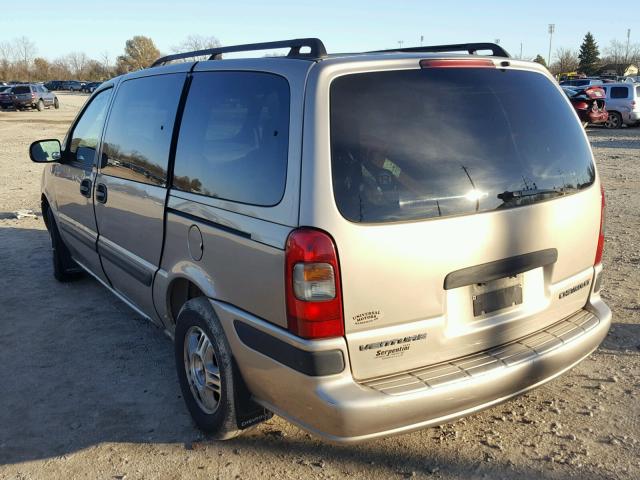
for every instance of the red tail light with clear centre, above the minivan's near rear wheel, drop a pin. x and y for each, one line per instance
(313, 291)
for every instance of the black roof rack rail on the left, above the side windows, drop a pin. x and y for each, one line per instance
(316, 50)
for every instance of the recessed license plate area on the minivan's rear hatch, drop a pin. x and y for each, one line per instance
(496, 295)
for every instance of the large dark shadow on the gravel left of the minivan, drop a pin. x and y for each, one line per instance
(77, 367)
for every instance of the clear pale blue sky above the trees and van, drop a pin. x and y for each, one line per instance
(98, 27)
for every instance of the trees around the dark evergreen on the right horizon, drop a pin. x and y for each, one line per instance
(588, 59)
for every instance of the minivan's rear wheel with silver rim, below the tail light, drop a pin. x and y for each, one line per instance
(208, 378)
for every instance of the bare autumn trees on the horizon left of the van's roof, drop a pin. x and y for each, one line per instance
(19, 60)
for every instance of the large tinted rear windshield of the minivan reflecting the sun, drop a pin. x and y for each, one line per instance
(426, 143)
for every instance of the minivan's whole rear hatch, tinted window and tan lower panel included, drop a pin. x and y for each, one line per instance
(469, 211)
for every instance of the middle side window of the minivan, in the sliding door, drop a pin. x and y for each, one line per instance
(138, 135)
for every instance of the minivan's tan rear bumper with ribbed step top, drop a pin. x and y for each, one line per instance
(340, 409)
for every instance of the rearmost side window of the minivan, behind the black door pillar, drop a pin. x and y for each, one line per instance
(234, 137)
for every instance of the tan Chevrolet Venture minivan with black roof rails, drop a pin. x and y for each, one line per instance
(364, 244)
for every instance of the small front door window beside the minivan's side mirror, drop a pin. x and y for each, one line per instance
(86, 133)
